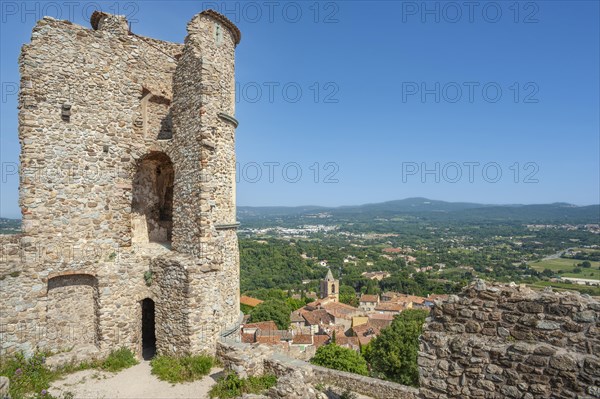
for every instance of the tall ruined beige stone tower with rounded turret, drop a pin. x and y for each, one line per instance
(127, 190)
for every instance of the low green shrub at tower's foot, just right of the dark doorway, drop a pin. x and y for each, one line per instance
(180, 369)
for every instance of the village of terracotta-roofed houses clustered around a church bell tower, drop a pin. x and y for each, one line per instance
(327, 320)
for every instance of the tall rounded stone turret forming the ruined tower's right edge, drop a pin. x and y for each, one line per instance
(204, 144)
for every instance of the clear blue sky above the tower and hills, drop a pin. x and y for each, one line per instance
(352, 102)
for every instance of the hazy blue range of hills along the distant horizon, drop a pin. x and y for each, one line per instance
(423, 208)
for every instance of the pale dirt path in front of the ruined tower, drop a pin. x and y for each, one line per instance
(134, 383)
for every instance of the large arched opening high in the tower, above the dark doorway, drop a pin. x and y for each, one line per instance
(152, 202)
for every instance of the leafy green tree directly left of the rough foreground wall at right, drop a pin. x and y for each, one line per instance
(393, 354)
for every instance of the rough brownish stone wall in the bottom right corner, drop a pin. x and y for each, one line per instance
(511, 342)
